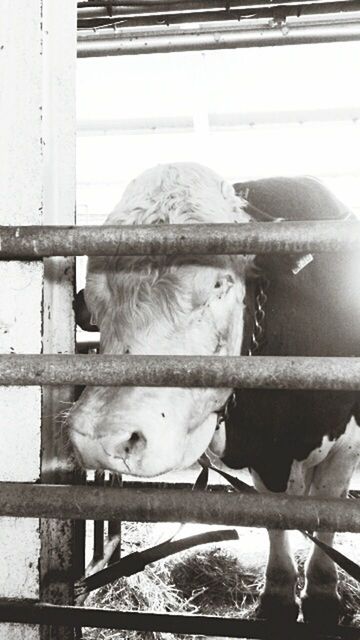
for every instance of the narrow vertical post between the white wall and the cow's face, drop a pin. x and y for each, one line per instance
(62, 542)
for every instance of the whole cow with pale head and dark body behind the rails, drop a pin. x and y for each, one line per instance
(302, 442)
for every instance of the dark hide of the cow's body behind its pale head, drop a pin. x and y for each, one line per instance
(313, 313)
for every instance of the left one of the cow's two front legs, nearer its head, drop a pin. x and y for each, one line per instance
(277, 600)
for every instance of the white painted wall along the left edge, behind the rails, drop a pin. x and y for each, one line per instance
(35, 141)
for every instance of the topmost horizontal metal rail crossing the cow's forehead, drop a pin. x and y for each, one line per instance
(283, 237)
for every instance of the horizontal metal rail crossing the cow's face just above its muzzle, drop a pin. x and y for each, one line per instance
(267, 372)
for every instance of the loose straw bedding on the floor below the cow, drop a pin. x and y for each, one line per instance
(211, 580)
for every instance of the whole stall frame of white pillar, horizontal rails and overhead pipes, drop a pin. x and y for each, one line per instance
(44, 501)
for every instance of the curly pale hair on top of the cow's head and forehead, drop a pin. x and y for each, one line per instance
(136, 288)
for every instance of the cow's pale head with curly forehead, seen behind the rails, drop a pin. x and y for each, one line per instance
(161, 305)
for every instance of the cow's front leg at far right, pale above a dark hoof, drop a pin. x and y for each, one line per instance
(320, 598)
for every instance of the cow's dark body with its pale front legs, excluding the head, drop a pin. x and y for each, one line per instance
(301, 442)
